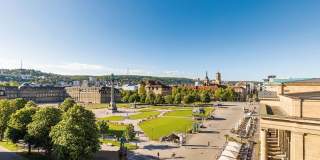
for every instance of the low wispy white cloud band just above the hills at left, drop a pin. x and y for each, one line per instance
(78, 68)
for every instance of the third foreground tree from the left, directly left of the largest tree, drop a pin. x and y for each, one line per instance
(42, 122)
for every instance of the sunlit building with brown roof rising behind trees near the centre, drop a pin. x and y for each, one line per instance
(156, 88)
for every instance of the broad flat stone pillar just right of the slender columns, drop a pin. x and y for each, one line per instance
(297, 146)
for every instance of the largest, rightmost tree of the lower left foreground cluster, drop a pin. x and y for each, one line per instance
(76, 136)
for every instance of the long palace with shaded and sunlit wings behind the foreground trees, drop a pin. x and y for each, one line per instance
(52, 94)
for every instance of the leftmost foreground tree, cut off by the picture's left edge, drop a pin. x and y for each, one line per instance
(6, 110)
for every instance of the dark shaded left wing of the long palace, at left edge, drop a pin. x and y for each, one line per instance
(38, 94)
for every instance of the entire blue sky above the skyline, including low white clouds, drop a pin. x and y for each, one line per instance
(244, 40)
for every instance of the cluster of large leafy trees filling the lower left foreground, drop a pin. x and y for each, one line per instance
(70, 131)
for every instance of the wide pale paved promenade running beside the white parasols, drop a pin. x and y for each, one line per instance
(197, 145)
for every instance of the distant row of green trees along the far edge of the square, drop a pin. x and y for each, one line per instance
(179, 95)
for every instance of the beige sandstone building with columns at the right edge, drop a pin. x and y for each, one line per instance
(290, 120)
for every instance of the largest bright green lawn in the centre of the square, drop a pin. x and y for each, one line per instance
(163, 126)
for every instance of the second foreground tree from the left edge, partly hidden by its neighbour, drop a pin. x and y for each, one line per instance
(17, 126)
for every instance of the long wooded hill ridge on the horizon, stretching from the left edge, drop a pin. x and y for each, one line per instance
(30, 75)
